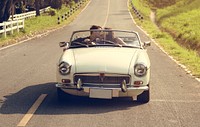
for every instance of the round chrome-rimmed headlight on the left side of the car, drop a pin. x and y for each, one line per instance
(64, 68)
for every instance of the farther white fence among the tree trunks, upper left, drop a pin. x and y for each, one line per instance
(27, 14)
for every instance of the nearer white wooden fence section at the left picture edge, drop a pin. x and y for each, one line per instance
(11, 26)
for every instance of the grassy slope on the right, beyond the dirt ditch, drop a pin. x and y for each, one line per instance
(180, 18)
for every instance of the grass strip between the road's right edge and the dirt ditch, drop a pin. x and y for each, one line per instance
(185, 56)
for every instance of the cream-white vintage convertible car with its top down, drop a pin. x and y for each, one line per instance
(104, 67)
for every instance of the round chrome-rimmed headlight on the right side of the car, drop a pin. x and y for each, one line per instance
(140, 70)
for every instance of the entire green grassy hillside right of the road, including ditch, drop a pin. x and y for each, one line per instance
(175, 28)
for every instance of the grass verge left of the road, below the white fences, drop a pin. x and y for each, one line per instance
(39, 25)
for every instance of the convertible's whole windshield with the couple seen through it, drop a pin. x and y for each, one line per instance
(115, 38)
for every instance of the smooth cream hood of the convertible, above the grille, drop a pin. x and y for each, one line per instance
(106, 60)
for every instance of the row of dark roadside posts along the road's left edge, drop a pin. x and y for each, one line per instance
(71, 11)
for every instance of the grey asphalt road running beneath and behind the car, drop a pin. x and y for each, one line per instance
(27, 71)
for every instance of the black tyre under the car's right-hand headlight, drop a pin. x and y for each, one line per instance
(144, 97)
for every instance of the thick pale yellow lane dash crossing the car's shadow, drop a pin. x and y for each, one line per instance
(31, 111)
